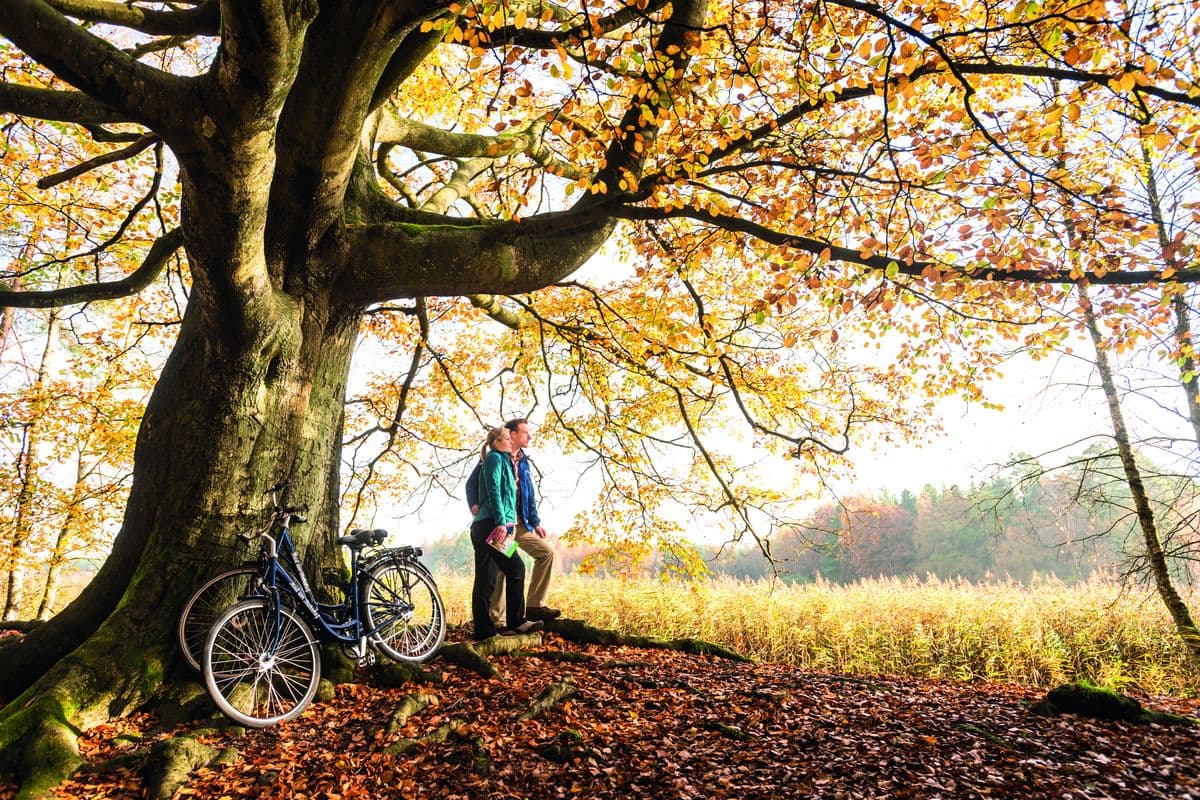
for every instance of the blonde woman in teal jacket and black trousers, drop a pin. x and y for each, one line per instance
(495, 522)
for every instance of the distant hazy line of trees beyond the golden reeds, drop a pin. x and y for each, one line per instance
(1071, 524)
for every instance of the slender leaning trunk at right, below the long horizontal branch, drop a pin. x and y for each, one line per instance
(1155, 556)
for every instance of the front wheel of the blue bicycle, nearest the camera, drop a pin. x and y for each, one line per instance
(260, 672)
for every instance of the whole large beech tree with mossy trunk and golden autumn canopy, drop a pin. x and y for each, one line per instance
(885, 160)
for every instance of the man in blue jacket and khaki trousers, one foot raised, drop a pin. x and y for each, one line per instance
(531, 536)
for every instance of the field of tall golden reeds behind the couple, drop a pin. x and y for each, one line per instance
(1040, 635)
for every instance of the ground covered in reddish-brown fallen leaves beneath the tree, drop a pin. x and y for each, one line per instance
(651, 724)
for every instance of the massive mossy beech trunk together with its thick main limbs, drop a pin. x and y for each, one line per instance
(289, 240)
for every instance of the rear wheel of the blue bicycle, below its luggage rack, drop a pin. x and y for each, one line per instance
(404, 612)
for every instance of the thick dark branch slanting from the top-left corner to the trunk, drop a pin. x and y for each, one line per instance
(97, 68)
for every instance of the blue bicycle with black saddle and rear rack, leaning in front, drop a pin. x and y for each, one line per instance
(261, 660)
